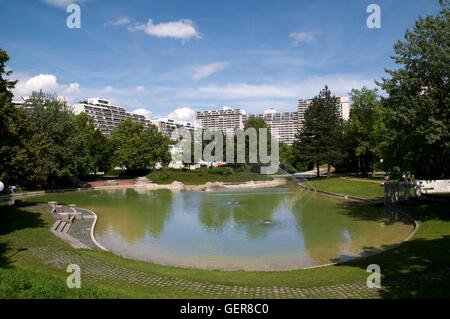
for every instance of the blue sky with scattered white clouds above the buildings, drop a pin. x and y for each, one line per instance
(172, 57)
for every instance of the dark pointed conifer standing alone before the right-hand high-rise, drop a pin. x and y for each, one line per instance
(320, 138)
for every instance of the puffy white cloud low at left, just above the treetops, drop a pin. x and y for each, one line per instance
(45, 82)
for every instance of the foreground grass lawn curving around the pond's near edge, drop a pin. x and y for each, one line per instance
(23, 276)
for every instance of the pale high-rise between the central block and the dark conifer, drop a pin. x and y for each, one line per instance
(283, 125)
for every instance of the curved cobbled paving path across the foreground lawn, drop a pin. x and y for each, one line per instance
(94, 269)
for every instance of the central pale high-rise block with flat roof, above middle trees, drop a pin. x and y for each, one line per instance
(225, 120)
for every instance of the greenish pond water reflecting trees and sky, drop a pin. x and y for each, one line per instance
(227, 230)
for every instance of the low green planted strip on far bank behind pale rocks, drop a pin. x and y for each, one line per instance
(204, 175)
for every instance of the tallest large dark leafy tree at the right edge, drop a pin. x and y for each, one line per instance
(417, 106)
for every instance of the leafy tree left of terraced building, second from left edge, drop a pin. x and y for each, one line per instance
(68, 155)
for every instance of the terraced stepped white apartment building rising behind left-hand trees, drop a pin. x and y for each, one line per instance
(106, 115)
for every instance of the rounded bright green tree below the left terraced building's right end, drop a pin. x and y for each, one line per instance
(139, 149)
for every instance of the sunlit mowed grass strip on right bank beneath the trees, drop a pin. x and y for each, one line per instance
(348, 187)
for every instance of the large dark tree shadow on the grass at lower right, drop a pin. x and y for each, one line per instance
(419, 268)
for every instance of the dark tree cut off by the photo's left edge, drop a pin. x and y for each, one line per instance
(20, 149)
